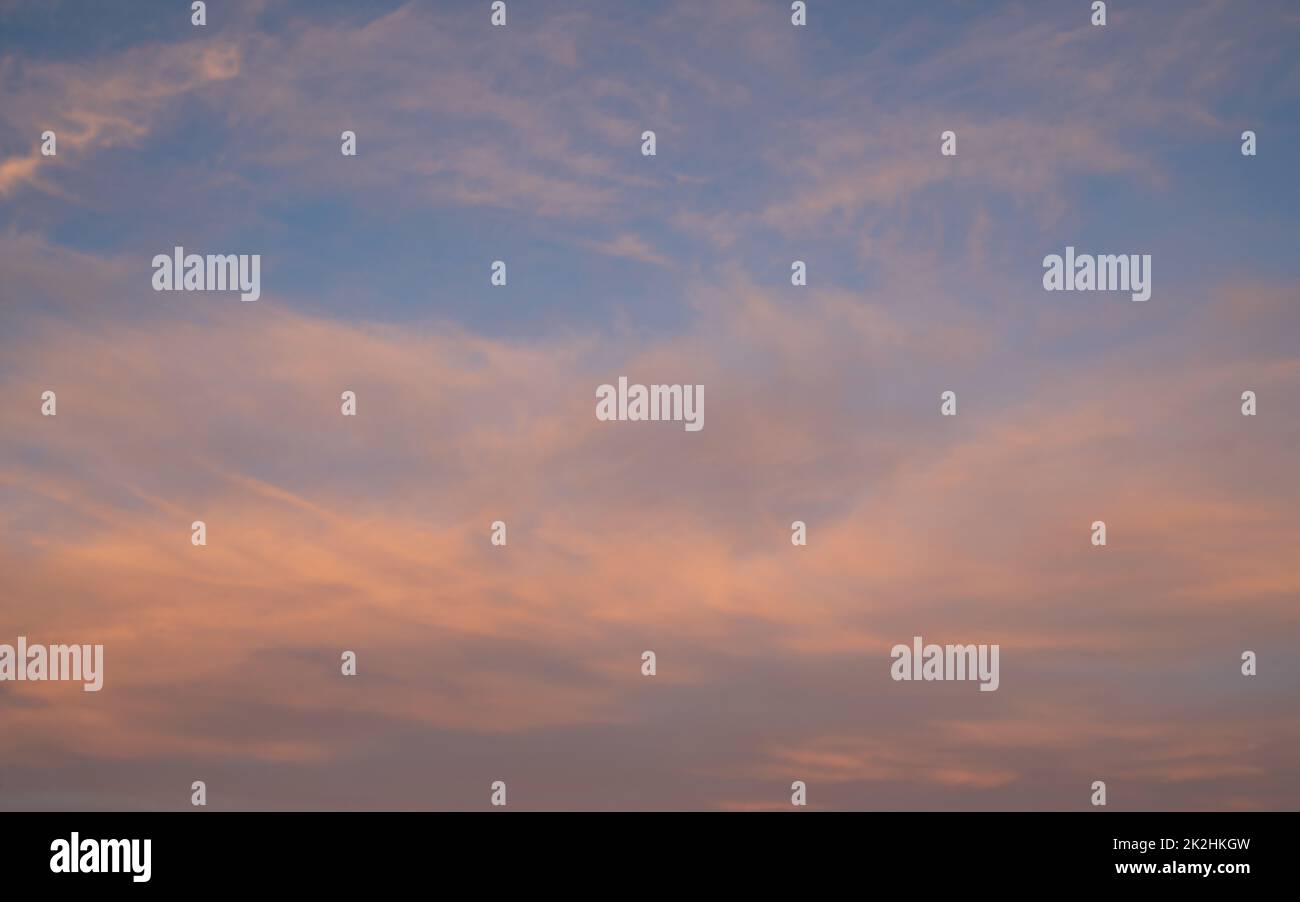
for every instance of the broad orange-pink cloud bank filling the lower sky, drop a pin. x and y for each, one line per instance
(328, 534)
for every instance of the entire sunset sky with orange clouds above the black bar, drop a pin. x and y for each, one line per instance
(476, 404)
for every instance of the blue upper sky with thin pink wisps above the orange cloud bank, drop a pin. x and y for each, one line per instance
(740, 135)
